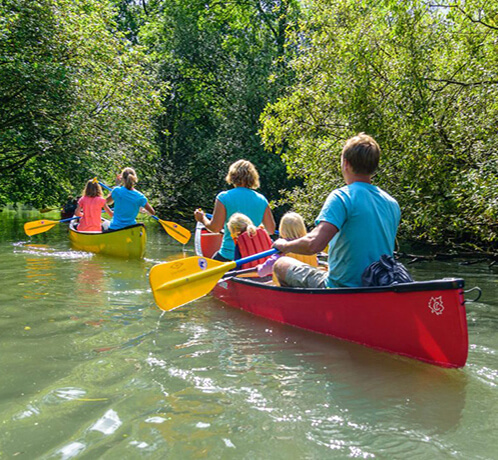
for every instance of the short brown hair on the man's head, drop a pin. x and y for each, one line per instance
(362, 153)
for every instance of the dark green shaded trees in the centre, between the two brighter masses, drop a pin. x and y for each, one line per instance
(224, 61)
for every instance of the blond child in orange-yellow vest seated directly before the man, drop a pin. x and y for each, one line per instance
(291, 227)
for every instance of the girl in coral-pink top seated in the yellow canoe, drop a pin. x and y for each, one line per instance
(90, 207)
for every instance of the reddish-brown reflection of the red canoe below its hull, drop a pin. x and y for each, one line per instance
(430, 397)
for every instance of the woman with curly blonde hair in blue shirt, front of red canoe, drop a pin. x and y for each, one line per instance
(242, 198)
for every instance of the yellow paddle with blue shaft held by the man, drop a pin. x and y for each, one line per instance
(179, 282)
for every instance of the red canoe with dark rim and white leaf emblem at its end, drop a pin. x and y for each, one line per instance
(422, 320)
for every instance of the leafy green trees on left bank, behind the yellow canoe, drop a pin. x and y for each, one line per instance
(76, 98)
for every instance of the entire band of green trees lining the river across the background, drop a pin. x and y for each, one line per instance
(182, 89)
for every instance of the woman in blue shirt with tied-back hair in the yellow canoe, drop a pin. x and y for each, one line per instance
(127, 201)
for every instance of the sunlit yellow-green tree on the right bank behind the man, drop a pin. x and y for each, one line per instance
(423, 80)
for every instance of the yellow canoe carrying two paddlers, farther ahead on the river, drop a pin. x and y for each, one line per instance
(128, 242)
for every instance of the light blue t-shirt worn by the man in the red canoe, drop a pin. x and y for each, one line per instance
(367, 219)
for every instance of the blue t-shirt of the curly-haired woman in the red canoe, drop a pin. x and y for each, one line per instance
(245, 201)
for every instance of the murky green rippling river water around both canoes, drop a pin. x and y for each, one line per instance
(91, 368)
